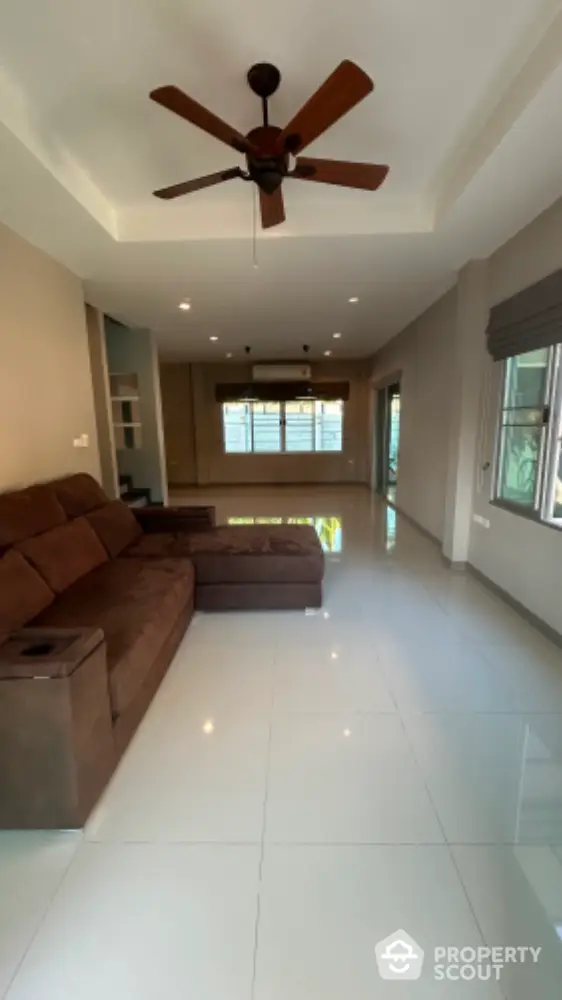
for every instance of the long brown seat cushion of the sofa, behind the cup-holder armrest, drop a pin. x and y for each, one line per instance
(136, 604)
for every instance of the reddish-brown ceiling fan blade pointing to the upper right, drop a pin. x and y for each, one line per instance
(347, 85)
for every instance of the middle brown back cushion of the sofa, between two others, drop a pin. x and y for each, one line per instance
(65, 554)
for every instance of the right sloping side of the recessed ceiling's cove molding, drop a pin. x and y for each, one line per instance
(521, 78)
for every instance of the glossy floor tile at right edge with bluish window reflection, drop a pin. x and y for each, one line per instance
(493, 778)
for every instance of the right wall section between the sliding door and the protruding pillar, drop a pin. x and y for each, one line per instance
(423, 353)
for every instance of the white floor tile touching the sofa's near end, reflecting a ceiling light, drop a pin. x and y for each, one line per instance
(197, 780)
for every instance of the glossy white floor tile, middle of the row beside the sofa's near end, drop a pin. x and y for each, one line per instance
(346, 779)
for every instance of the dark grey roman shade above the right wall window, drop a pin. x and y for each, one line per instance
(530, 320)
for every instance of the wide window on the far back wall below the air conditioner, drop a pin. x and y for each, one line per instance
(306, 425)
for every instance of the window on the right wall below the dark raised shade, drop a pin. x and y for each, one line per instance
(529, 461)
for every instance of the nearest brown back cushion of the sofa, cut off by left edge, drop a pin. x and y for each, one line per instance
(23, 593)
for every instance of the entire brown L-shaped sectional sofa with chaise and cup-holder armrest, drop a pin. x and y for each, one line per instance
(94, 600)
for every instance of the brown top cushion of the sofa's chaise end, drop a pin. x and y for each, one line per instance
(254, 553)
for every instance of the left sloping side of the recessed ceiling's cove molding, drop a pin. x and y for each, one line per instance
(17, 116)
